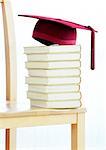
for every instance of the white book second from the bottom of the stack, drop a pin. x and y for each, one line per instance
(54, 96)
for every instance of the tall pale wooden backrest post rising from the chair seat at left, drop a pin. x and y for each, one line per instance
(10, 51)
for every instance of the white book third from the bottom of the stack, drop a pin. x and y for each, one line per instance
(52, 89)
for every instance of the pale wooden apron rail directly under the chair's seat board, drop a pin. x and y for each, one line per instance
(29, 121)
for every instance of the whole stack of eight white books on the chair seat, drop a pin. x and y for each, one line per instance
(54, 76)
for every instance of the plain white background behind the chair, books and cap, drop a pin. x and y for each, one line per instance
(93, 84)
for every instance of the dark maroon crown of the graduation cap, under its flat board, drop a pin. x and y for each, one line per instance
(50, 32)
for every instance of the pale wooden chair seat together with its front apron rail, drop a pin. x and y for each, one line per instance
(14, 115)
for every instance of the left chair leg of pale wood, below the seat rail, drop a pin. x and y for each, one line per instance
(10, 139)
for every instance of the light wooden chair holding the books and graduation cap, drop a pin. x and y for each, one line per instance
(12, 117)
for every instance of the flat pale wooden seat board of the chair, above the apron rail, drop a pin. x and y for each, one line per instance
(10, 109)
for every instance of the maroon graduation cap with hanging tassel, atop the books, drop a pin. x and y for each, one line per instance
(50, 31)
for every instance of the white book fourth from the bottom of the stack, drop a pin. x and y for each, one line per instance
(53, 81)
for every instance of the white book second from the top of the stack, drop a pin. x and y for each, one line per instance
(53, 57)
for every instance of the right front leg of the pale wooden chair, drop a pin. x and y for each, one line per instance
(78, 133)
